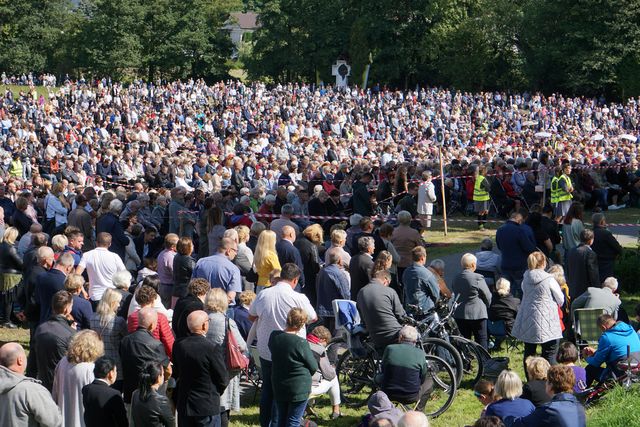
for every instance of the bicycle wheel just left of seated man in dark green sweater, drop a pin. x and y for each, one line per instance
(356, 377)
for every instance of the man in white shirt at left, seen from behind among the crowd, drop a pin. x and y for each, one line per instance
(101, 264)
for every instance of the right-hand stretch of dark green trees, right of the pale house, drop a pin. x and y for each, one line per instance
(586, 46)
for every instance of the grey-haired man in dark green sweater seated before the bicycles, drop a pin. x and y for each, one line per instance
(404, 370)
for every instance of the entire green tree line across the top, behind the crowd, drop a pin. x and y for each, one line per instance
(589, 47)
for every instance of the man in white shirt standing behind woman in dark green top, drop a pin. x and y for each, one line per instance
(270, 309)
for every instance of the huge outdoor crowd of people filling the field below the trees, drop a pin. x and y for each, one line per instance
(151, 231)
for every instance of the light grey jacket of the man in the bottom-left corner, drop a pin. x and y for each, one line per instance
(24, 402)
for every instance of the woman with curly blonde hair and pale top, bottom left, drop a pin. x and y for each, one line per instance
(73, 372)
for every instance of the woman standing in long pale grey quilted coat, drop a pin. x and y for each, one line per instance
(538, 321)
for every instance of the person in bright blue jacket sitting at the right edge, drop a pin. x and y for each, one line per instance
(612, 348)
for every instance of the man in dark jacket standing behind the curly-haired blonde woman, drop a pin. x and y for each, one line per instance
(51, 338)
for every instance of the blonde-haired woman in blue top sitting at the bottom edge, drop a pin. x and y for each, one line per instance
(508, 390)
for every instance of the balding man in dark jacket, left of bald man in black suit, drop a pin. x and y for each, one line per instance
(140, 348)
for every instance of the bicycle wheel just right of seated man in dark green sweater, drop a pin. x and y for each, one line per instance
(443, 390)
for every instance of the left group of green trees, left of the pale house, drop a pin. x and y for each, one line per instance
(167, 38)
